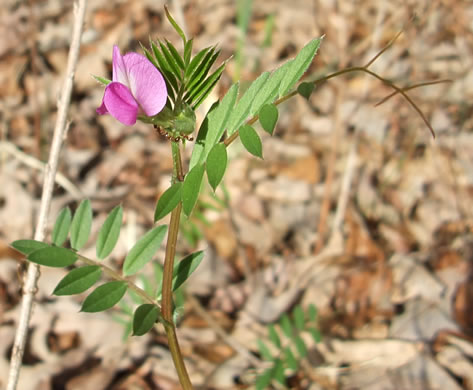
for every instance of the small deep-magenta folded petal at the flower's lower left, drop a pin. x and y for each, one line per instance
(120, 103)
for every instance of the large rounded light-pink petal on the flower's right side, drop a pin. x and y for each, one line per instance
(146, 83)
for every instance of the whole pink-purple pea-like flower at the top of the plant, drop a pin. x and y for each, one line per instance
(137, 87)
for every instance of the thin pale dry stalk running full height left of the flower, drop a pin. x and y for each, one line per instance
(48, 185)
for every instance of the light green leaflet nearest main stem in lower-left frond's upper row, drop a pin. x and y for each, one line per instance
(144, 250)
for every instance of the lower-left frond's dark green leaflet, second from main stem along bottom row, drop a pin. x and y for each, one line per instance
(104, 297)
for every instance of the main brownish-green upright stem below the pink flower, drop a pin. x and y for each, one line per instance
(166, 302)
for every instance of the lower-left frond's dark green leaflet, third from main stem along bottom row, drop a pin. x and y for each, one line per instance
(78, 280)
